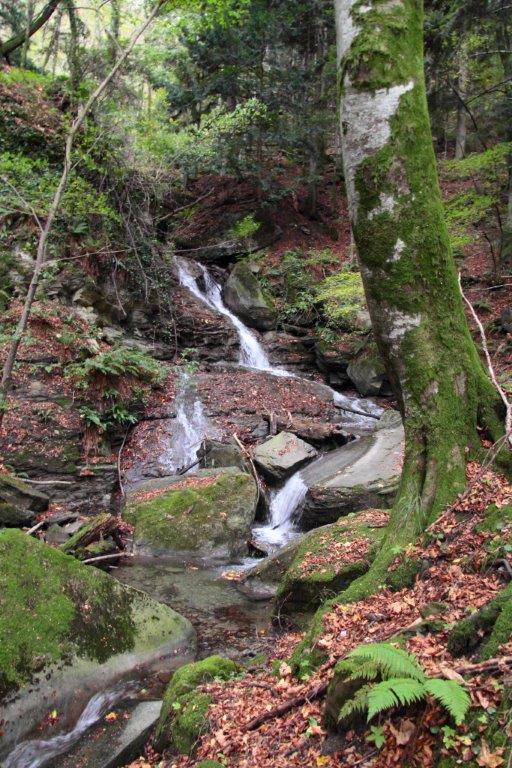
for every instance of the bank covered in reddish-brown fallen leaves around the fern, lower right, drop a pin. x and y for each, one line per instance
(456, 576)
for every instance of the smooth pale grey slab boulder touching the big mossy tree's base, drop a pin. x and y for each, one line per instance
(360, 475)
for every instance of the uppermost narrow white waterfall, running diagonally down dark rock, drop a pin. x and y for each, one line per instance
(252, 353)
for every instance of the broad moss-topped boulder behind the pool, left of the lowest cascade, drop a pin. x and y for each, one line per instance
(196, 517)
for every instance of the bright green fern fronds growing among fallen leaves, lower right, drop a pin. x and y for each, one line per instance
(396, 679)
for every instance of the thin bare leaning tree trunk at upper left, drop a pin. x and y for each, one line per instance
(83, 111)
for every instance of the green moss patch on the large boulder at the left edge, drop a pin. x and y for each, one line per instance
(42, 616)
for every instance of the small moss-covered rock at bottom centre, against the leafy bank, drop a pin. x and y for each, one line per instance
(183, 714)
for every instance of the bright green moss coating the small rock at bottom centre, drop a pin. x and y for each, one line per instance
(184, 682)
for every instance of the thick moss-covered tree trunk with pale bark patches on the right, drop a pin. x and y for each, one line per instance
(406, 264)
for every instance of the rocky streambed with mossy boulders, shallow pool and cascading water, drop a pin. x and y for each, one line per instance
(239, 462)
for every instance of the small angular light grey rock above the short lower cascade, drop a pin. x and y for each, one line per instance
(282, 455)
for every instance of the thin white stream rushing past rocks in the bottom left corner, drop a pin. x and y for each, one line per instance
(39, 752)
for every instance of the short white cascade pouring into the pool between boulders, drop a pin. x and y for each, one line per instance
(284, 504)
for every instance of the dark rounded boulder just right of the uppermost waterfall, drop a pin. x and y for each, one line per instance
(244, 296)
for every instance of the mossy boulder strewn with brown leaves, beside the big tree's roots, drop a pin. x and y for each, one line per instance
(327, 561)
